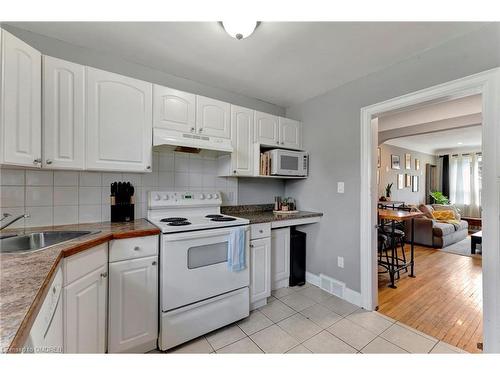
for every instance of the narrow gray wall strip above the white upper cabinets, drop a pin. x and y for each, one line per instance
(116, 64)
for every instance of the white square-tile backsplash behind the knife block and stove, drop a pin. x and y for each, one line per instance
(68, 197)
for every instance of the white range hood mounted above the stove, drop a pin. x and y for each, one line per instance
(163, 137)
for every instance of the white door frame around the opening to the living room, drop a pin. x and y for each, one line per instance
(488, 85)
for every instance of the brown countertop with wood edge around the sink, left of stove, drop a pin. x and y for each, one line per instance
(24, 278)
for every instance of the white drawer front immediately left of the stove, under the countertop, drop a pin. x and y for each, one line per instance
(131, 248)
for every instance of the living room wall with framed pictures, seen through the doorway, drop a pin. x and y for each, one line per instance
(388, 175)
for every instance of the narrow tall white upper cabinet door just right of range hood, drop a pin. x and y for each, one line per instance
(242, 140)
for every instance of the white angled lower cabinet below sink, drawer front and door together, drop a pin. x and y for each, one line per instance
(85, 300)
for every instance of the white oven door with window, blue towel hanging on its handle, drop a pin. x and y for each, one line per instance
(194, 267)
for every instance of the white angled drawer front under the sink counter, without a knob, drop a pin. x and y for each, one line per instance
(80, 264)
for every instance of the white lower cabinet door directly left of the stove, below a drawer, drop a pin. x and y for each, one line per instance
(133, 305)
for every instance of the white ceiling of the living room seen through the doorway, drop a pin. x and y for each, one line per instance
(433, 143)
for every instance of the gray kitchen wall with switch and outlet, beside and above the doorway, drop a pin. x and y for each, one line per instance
(332, 136)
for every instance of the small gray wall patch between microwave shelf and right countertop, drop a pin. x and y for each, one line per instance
(258, 190)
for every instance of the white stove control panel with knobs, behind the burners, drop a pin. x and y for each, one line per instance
(161, 199)
